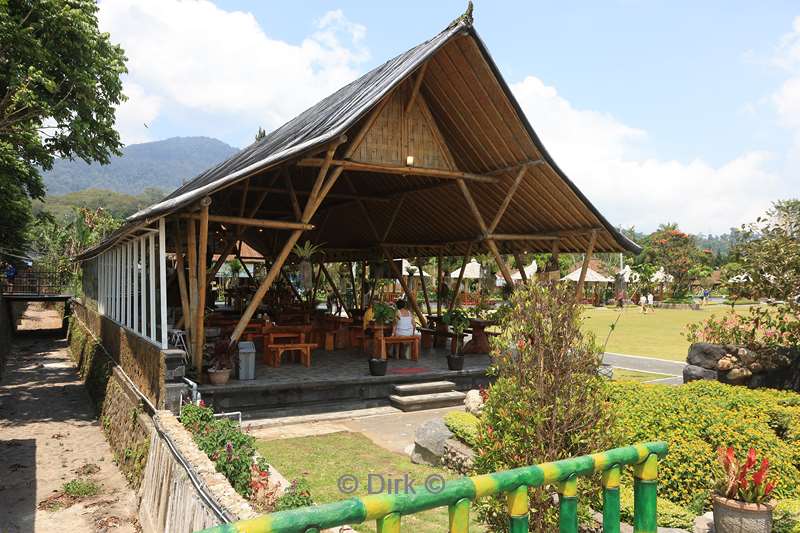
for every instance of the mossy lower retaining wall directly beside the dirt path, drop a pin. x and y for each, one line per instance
(120, 409)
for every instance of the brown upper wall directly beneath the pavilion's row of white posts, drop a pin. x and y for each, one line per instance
(142, 361)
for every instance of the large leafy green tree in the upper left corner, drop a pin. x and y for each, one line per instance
(59, 86)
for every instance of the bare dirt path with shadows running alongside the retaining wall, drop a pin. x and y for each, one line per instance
(49, 435)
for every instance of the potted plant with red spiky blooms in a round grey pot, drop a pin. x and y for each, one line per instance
(742, 502)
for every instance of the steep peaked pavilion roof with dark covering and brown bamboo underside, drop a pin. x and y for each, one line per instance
(468, 108)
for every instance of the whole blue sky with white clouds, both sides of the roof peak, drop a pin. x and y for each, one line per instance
(659, 111)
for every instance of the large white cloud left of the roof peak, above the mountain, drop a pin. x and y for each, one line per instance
(194, 56)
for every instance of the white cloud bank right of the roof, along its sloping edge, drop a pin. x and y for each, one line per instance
(600, 154)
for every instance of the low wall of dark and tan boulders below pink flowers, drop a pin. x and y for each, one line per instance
(737, 365)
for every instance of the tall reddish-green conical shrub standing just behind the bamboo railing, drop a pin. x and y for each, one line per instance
(548, 402)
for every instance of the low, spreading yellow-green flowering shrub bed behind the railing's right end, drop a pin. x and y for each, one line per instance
(699, 417)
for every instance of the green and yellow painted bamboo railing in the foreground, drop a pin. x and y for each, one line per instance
(459, 494)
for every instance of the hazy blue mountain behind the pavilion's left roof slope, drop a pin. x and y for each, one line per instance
(162, 164)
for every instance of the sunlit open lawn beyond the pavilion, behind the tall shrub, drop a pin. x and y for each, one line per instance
(655, 334)
